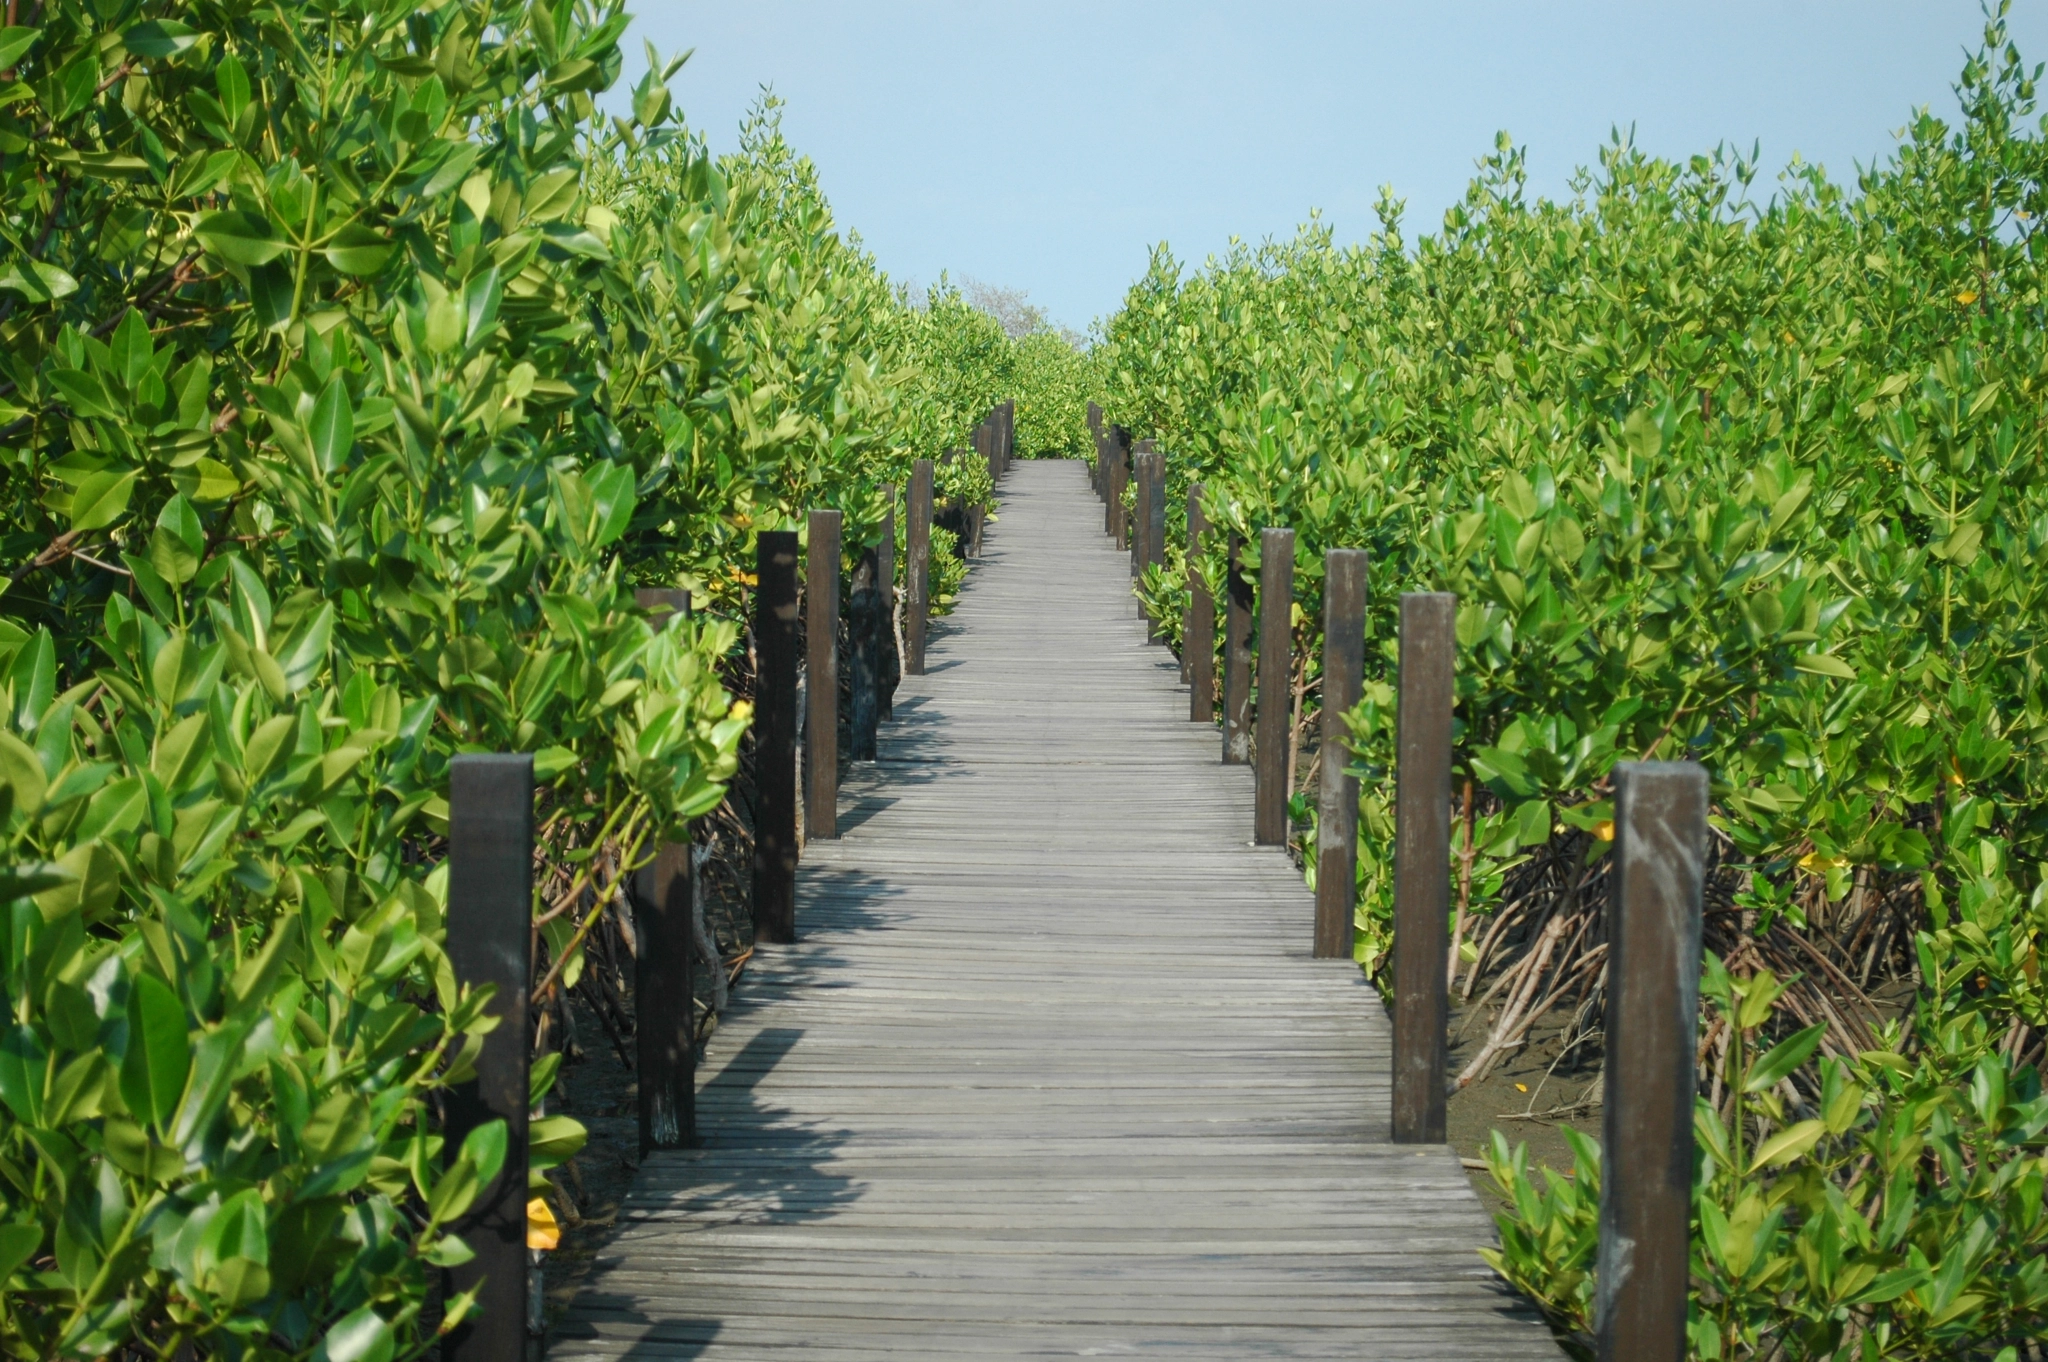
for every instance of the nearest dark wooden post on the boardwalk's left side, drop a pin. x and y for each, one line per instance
(490, 931)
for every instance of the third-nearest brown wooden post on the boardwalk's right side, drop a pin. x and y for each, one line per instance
(1336, 826)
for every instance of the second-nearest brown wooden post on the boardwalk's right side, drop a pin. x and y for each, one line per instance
(1422, 863)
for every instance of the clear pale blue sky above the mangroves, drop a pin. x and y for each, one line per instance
(1048, 146)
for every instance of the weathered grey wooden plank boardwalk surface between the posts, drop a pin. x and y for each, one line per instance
(1050, 1072)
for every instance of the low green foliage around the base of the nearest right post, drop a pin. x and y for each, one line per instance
(1893, 1209)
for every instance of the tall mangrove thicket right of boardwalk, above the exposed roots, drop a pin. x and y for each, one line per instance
(1754, 484)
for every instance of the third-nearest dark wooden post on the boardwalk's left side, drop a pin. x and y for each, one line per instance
(775, 738)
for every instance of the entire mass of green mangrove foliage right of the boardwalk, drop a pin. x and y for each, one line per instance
(1734, 480)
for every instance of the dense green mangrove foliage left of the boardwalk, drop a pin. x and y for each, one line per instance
(353, 378)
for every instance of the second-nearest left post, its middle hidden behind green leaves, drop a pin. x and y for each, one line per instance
(665, 990)
